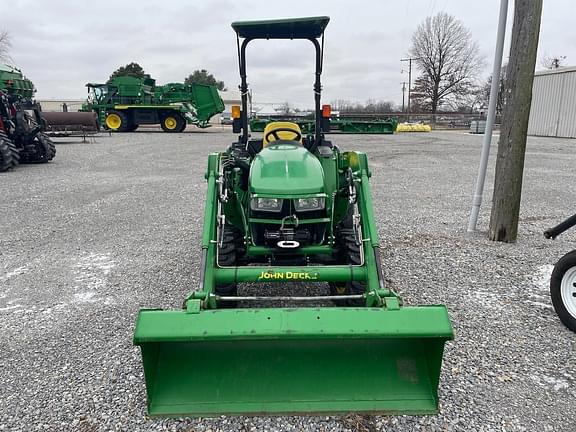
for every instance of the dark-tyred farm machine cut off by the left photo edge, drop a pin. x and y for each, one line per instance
(22, 137)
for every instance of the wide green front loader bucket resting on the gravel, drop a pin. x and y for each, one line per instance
(302, 360)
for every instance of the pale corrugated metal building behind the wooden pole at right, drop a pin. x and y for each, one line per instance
(553, 111)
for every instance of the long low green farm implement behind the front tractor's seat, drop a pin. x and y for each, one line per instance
(343, 124)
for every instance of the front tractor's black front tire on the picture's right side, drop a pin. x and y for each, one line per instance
(349, 254)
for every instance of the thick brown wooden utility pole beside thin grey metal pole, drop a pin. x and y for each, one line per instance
(512, 144)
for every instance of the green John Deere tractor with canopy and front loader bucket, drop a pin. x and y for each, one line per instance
(290, 208)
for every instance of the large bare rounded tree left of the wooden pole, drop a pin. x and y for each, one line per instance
(447, 57)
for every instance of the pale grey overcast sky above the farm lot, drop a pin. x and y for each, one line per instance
(61, 45)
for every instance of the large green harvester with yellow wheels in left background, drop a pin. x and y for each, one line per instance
(125, 102)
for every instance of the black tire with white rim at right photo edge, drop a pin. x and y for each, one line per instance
(563, 289)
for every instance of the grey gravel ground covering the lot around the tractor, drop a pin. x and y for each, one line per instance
(114, 225)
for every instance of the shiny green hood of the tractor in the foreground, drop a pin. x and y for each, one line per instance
(286, 169)
